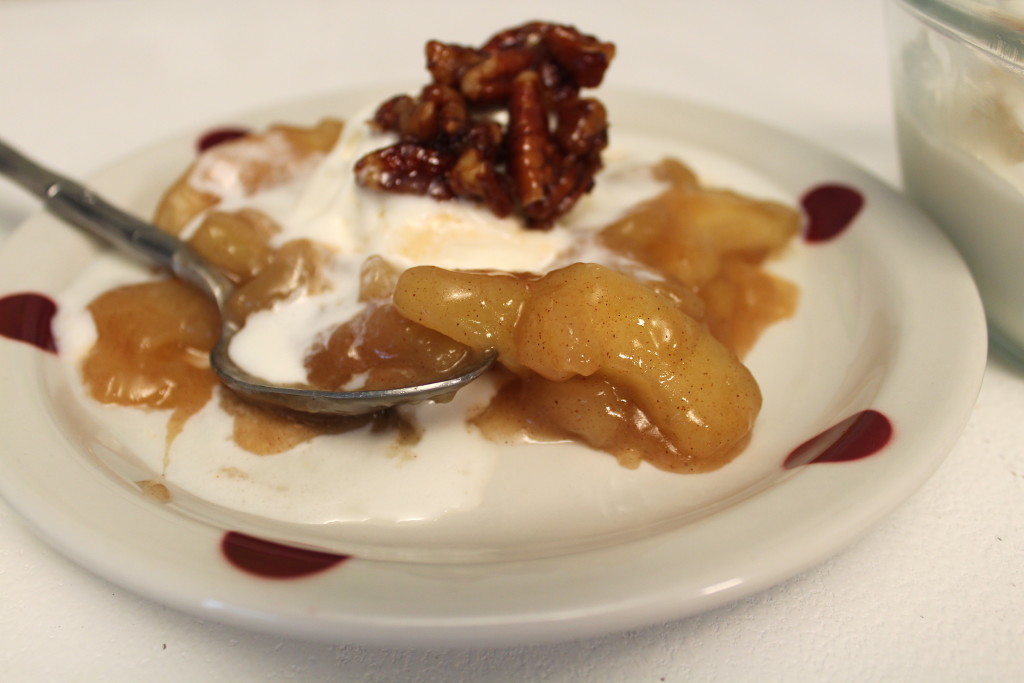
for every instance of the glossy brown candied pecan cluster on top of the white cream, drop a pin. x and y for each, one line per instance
(452, 146)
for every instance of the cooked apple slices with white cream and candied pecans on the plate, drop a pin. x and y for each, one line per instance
(492, 210)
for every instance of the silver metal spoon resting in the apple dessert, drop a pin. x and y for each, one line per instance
(82, 208)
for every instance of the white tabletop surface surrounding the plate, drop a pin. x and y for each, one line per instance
(934, 593)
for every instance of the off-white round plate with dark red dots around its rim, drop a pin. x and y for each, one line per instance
(889, 322)
